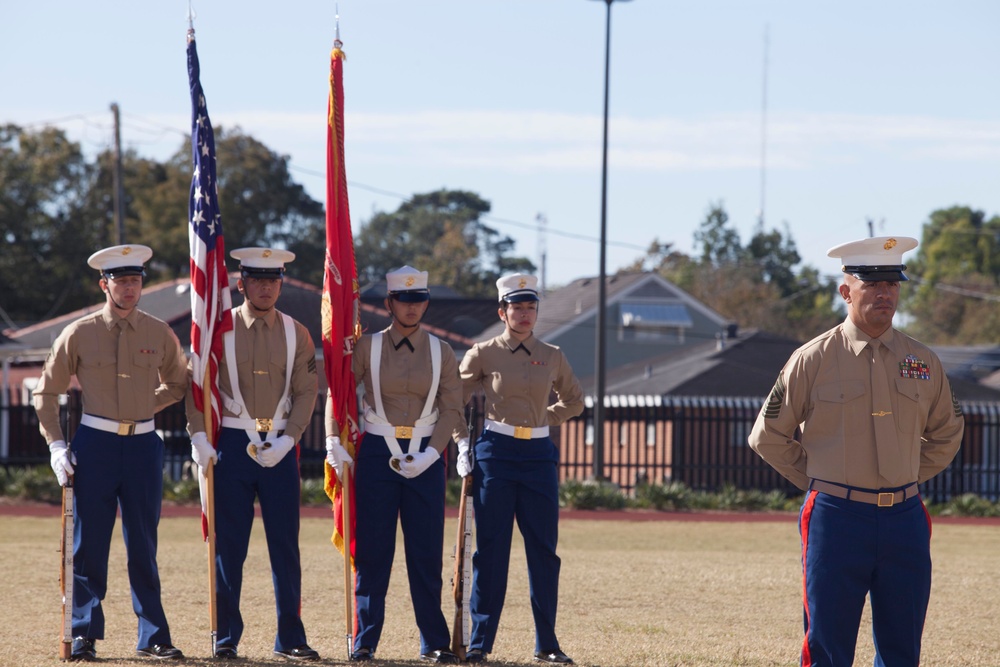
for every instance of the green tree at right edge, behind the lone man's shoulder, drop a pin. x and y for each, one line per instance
(954, 290)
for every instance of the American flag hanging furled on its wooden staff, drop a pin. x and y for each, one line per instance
(211, 302)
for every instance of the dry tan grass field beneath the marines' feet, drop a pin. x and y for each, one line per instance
(633, 594)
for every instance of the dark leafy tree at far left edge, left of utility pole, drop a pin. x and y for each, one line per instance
(48, 224)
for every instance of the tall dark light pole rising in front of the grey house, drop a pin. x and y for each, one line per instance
(602, 295)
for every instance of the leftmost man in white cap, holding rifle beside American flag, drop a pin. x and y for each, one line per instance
(129, 366)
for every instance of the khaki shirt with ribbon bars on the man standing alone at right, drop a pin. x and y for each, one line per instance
(825, 387)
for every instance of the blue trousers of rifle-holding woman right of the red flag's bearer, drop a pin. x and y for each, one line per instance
(515, 479)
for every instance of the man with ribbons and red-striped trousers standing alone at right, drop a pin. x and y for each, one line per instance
(877, 417)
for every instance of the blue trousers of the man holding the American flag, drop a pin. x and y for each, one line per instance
(238, 480)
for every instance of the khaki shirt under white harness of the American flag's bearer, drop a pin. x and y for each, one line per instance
(261, 360)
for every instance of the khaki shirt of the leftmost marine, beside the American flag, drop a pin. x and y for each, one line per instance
(152, 373)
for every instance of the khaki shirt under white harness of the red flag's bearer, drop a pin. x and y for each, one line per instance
(405, 379)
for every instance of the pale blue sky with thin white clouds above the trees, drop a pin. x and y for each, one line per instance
(830, 118)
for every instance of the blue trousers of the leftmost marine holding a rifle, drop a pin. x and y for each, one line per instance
(115, 472)
